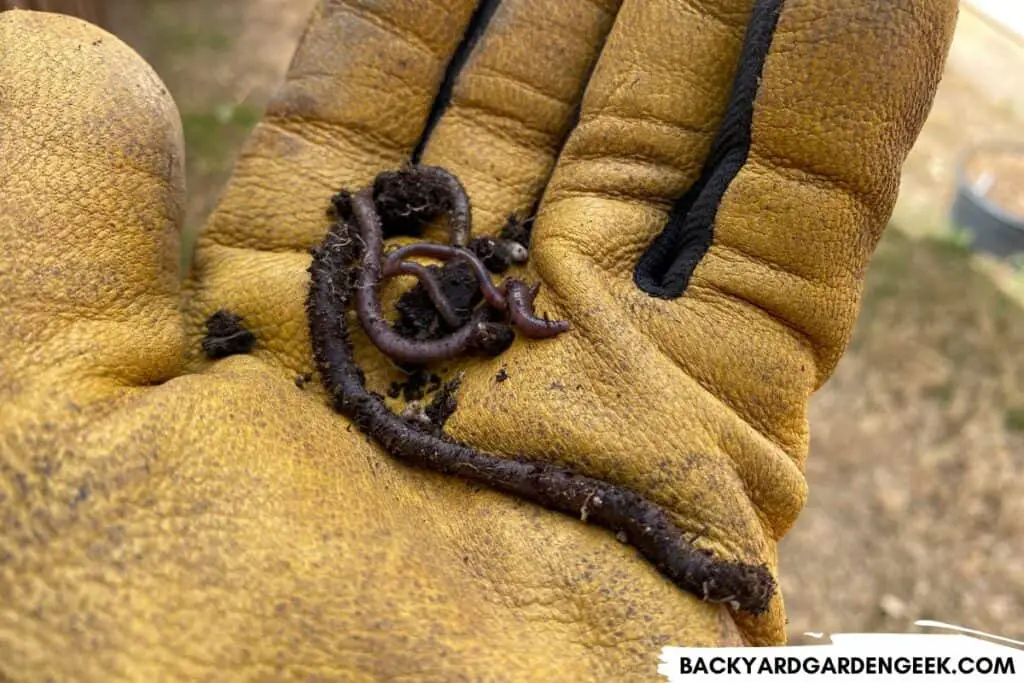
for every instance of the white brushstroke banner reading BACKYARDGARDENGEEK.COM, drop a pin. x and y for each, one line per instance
(857, 657)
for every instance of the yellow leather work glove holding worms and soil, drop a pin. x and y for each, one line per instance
(712, 179)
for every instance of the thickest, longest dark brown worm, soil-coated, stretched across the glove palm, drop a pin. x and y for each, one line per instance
(336, 279)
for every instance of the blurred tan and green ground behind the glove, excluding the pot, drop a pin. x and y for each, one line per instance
(917, 471)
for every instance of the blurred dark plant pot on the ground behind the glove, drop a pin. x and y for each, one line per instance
(994, 230)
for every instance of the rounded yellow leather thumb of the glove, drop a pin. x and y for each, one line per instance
(92, 194)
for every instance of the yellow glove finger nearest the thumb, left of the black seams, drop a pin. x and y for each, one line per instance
(356, 102)
